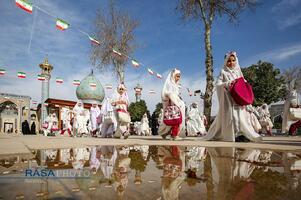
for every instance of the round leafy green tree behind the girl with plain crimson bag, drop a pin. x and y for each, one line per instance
(268, 85)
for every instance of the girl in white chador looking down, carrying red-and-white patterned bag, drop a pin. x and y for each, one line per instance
(170, 95)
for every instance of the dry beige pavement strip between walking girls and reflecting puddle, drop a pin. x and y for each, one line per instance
(19, 144)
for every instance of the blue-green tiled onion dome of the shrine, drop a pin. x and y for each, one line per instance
(90, 90)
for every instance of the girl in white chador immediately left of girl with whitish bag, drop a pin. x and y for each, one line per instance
(109, 122)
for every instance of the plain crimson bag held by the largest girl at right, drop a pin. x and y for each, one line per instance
(242, 92)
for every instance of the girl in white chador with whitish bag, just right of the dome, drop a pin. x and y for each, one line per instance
(120, 101)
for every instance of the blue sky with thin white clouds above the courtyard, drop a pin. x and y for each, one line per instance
(270, 33)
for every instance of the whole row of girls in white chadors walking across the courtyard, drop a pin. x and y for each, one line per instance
(233, 122)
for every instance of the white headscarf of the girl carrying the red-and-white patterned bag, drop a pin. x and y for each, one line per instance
(170, 86)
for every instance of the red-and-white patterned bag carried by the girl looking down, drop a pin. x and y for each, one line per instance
(172, 115)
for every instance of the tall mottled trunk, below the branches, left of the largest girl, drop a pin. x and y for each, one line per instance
(209, 74)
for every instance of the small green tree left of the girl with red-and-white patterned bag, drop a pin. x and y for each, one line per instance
(137, 110)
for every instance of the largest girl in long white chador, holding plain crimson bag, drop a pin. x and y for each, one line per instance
(231, 119)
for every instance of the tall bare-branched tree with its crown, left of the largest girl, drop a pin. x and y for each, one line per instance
(206, 11)
